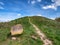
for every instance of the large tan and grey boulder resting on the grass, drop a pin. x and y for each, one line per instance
(16, 29)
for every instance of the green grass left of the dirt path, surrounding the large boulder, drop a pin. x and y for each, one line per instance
(24, 39)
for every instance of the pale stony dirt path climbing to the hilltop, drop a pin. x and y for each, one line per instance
(41, 34)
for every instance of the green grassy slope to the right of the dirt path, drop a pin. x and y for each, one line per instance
(51, 28)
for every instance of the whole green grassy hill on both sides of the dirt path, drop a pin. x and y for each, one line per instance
(49, 27)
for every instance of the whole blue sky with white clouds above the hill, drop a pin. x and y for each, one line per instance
(13, 9)
